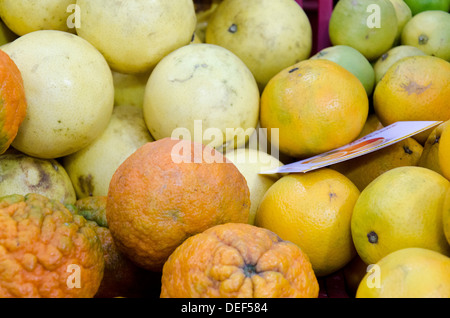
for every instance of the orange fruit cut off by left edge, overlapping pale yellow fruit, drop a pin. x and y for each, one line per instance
(13, 101)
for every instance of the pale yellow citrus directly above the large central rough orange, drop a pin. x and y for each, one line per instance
(217, 93)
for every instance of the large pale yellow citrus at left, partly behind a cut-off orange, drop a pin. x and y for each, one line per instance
(69, 90)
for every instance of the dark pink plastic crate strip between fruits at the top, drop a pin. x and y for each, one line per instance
(319, 13)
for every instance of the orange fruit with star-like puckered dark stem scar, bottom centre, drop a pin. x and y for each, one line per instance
(236, 260)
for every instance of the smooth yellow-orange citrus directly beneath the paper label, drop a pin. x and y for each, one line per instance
(313, 210)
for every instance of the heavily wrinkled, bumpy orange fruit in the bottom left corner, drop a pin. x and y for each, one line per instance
(46, 251)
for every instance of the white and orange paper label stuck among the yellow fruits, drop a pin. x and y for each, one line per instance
(376, 140)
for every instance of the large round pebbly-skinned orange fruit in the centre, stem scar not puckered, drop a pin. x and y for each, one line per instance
(155, 201)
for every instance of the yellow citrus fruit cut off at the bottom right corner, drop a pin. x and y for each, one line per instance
(408, 273)
